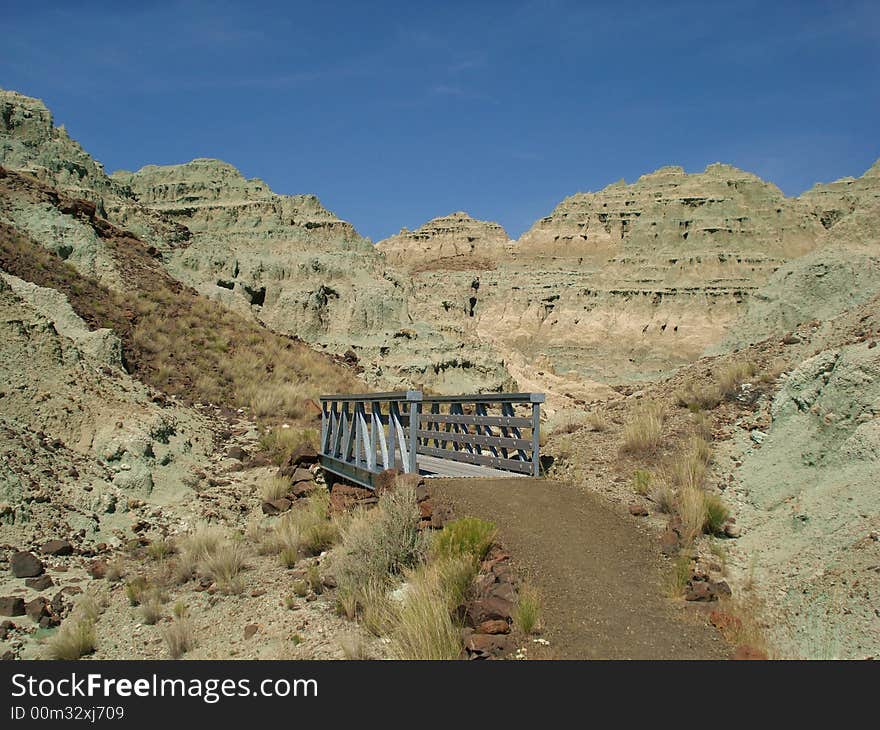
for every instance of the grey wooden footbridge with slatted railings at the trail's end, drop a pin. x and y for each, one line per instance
(476, 435)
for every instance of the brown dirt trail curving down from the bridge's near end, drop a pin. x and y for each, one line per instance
(599, 575)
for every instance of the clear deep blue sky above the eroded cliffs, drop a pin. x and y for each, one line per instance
(394, 113)
